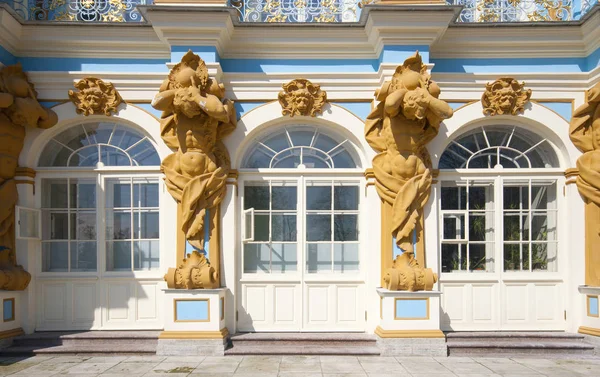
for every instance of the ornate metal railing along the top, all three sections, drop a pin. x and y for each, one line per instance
(307, 11)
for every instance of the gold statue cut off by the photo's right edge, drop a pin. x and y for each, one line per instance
(585, 135)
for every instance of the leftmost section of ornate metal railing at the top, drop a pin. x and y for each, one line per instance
(78, 10)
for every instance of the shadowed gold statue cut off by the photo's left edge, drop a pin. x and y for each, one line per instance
(19, 108)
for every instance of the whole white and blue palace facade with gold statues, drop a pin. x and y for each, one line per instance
(399, 168)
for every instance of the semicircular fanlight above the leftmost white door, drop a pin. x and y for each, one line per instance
(99, 144)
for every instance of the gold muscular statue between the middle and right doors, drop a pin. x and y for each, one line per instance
(407, 117)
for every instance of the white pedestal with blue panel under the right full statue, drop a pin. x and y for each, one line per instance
(410, 324)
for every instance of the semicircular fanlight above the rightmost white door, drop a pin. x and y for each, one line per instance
(498, 147)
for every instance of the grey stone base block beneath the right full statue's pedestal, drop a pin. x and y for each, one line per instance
(412, 346)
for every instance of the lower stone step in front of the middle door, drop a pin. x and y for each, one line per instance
(276, 349)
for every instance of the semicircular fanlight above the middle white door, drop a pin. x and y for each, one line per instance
(300, 147)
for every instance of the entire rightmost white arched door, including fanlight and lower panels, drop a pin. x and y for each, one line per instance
(499, 233)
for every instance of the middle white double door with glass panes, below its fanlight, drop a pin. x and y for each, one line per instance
(301, 268)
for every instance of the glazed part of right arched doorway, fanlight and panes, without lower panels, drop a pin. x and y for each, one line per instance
(490, 211)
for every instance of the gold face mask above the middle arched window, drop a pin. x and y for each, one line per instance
(302, 97)
